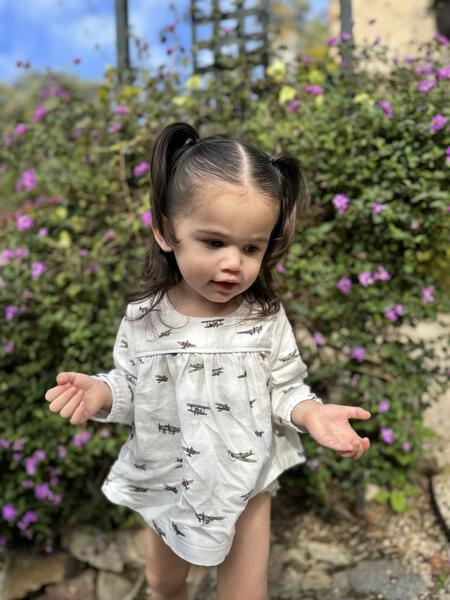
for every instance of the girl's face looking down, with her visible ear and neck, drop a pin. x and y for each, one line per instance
(222, 242)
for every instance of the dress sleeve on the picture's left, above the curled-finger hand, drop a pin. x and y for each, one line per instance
(121, 380)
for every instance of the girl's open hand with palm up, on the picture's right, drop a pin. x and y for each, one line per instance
(328, 424)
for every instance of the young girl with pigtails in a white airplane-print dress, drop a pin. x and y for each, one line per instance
(207, 370)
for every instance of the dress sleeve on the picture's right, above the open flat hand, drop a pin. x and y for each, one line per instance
(288, 373)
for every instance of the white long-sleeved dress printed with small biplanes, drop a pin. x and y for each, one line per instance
(209, 402)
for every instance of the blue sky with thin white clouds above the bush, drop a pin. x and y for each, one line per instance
(78, 36)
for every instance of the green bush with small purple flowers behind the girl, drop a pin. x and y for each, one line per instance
(367, 261)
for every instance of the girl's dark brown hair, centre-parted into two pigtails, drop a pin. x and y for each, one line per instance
(180, 163)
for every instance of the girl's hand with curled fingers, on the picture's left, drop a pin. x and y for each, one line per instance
(77, 397)
